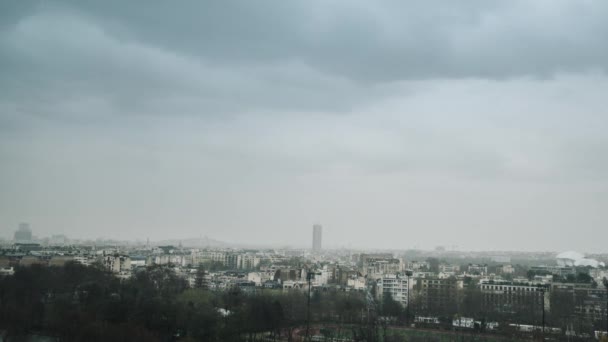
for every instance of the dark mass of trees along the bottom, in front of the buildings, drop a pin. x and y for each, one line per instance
(79, 303)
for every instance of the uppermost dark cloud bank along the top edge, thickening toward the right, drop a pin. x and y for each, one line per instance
(366, 41)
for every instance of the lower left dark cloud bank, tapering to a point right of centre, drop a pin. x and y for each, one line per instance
(58, 53)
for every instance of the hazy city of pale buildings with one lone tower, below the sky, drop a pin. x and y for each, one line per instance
(394, 294)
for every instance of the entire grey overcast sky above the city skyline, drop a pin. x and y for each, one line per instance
(395, 124)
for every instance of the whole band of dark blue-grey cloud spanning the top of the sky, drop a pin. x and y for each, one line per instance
(206, 57)
